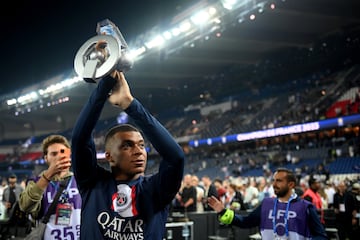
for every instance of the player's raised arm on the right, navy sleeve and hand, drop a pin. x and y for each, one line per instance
(171, 170)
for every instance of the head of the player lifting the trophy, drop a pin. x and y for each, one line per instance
(127, 155)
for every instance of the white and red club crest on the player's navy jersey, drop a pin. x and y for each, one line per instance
(123, 201)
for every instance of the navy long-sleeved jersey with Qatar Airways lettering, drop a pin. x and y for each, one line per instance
(123, 210)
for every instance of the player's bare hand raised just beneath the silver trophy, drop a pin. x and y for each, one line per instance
(120, 95)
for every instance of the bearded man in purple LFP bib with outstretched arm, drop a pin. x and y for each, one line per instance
(287, 216)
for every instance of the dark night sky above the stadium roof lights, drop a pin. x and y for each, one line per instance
(39, 38)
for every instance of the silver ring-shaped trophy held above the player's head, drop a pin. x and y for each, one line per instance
(102, 54)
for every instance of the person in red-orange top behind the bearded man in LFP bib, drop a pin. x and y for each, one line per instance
(312, 195)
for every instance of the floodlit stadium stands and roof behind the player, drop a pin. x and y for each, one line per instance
(245, 87)
